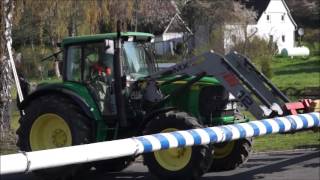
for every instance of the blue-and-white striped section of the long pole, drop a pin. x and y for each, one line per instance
(228, 133)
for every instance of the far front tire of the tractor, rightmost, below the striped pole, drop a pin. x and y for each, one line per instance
(238, 154)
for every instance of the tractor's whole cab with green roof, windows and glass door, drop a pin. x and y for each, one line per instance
(90, 60)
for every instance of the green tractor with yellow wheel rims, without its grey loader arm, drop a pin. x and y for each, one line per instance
(107, 93)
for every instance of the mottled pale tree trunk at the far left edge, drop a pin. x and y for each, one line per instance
(6, 78)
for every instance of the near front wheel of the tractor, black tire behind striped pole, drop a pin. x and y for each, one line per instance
(200, 157)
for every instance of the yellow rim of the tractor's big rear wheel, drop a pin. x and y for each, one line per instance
(49, 131)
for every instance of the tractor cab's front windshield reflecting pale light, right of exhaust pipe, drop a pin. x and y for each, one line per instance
(138, 61)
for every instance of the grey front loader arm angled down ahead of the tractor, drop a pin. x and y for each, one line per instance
(249, 89)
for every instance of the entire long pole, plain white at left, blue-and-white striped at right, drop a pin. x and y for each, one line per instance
(29, 161)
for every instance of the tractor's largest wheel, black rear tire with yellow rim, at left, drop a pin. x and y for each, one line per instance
(75, 123)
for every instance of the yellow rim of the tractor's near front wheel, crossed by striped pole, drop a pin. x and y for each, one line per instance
(173, 159)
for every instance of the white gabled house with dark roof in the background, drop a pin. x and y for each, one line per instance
(274, 23)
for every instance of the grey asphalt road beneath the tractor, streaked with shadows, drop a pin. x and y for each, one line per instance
(294, 165)
